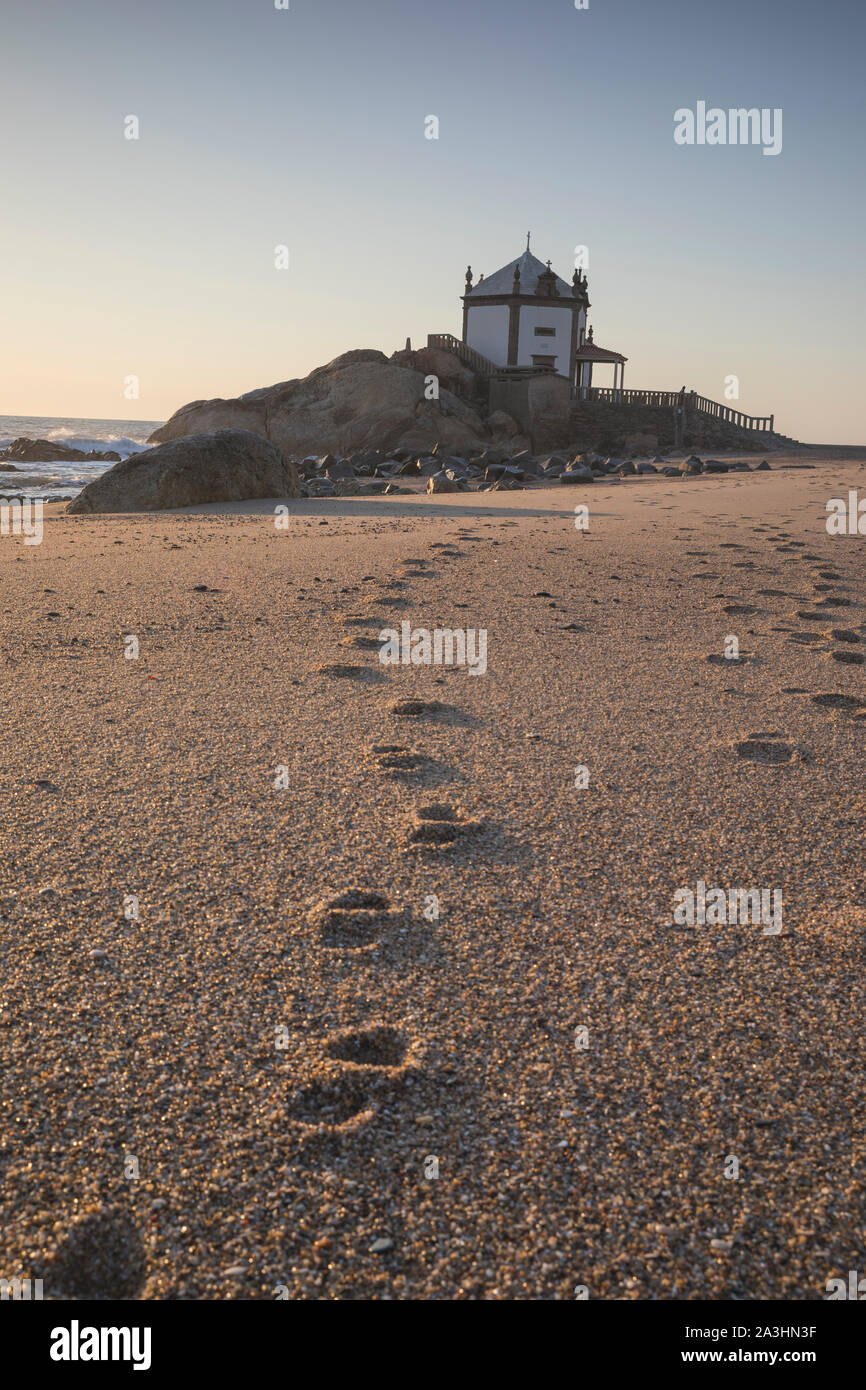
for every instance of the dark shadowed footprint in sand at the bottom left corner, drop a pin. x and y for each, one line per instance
(102, 1257)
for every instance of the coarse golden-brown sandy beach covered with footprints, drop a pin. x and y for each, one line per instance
(266, 1033)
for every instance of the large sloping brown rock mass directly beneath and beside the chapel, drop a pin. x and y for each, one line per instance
(359, 401)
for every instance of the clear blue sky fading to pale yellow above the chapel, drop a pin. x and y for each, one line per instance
(305, 127)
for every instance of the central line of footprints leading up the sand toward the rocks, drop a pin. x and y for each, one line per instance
(373, 1061)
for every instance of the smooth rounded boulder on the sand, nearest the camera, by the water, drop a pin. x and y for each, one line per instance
(229, 466)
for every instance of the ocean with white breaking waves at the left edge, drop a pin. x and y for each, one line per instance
(66, 480)
